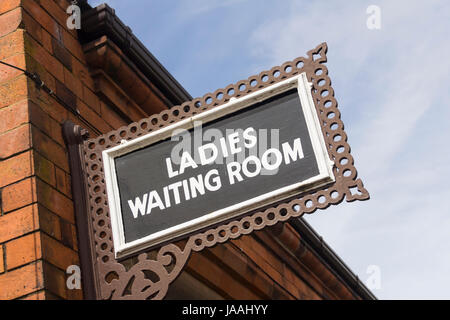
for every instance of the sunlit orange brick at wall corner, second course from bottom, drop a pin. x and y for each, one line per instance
(23, 250)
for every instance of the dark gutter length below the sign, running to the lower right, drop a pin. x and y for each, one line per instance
(330, 258)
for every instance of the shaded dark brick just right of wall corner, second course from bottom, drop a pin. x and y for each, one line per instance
(58, 254)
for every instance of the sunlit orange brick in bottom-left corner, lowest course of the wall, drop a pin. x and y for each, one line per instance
(22, 281)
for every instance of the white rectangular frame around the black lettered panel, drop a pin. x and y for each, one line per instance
(325, 165)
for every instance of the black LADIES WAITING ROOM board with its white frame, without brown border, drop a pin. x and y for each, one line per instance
(246, 154)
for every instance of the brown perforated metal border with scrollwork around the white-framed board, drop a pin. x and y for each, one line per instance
(148, 275)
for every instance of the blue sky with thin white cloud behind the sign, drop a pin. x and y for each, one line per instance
(392, 86)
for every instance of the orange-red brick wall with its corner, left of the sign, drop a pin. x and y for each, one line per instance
(37, 226)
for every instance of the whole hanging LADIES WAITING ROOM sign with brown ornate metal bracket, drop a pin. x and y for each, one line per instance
(258, 152)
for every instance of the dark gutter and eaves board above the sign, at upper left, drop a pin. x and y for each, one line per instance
(102, 20)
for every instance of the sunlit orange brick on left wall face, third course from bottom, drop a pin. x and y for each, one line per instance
(18, 223)
